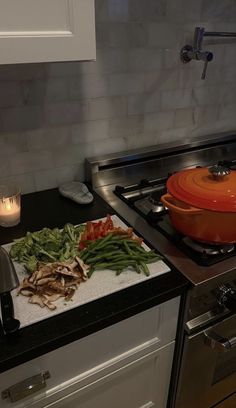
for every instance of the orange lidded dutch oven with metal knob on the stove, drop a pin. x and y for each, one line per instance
(202, 203)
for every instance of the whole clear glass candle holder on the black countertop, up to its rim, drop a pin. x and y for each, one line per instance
(10, 205)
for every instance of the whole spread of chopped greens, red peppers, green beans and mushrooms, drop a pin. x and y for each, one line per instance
(59, 260)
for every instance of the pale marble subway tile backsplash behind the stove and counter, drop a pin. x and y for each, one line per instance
(137, 93)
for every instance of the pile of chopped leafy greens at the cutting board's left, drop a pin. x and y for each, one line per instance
(47, 245)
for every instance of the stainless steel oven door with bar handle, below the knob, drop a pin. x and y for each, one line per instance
(208, 369)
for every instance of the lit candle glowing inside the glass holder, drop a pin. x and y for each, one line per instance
(10, 210)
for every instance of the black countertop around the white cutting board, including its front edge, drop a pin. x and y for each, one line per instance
(50, 209)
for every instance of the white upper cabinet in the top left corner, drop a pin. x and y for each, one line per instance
(46, 30)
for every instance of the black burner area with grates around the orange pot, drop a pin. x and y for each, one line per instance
(145, 199)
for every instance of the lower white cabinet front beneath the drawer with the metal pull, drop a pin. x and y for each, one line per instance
(143, 383)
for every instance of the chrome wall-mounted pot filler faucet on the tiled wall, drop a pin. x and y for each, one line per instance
(189, 52)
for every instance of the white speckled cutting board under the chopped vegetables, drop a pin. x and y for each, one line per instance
(100, 284)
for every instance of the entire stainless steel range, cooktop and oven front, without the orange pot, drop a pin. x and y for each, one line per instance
(132, 183)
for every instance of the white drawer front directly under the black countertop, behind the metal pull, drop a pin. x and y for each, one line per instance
(137, 335)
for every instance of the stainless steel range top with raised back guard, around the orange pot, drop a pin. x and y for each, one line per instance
(132, 182)
